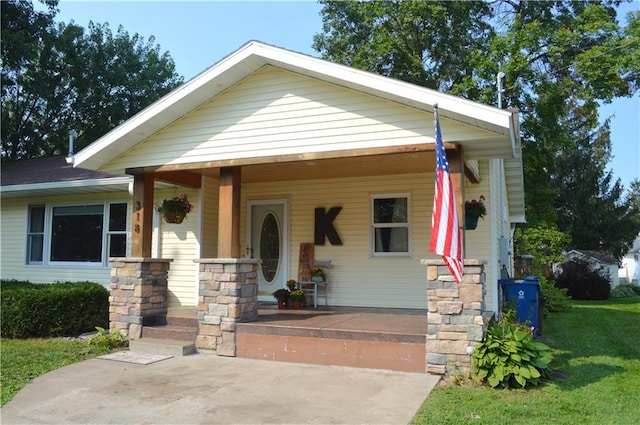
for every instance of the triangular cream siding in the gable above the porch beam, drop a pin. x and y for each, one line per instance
(276, 112)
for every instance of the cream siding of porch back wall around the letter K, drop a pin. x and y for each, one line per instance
(356, 278)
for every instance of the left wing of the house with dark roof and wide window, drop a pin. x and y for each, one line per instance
(44, 195)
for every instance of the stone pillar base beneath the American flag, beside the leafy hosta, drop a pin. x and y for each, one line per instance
(455, 316)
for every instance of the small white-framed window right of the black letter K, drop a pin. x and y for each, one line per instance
(390, 225)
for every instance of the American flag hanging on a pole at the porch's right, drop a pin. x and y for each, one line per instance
(446, 238)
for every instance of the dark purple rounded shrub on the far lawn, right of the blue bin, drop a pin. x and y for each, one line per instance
(582, 282)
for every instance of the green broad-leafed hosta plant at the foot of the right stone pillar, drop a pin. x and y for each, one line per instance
(509, 357)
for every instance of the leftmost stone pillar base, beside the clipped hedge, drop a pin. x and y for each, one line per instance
(138, 293)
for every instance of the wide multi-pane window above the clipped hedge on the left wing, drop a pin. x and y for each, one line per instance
(76, 233)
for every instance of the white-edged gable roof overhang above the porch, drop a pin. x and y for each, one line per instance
(501, 125)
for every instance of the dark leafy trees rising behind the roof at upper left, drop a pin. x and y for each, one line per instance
(58, 78)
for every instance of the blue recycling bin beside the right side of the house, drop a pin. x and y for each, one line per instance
(525, 295)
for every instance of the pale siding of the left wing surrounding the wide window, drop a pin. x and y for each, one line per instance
(13, 222)
